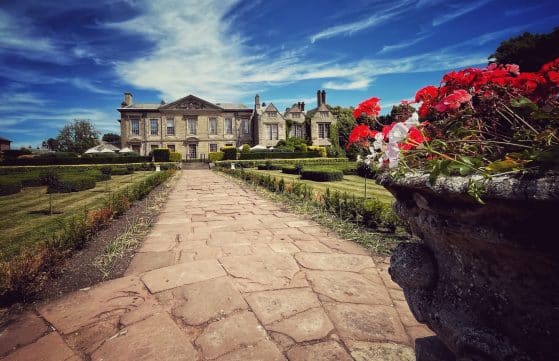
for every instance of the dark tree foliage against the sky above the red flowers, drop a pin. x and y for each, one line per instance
(529, 51)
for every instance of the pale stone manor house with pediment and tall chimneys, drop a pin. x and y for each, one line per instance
(194, 127)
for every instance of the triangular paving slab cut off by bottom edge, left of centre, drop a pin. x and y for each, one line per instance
(156, 338)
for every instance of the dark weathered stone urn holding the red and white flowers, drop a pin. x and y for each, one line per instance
(484, 278)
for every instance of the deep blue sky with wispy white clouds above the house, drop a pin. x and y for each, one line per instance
(61, 60)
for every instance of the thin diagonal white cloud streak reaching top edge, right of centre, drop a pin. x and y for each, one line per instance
(375, 19)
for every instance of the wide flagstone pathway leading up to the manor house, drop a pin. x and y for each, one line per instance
(228, 275)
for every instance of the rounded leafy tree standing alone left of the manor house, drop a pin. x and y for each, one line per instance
(77, 137)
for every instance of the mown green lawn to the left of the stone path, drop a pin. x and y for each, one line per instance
(20, 227)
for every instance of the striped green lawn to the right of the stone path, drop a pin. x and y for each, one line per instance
(353, 185)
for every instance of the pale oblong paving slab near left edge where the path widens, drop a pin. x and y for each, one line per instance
(185, 273)
